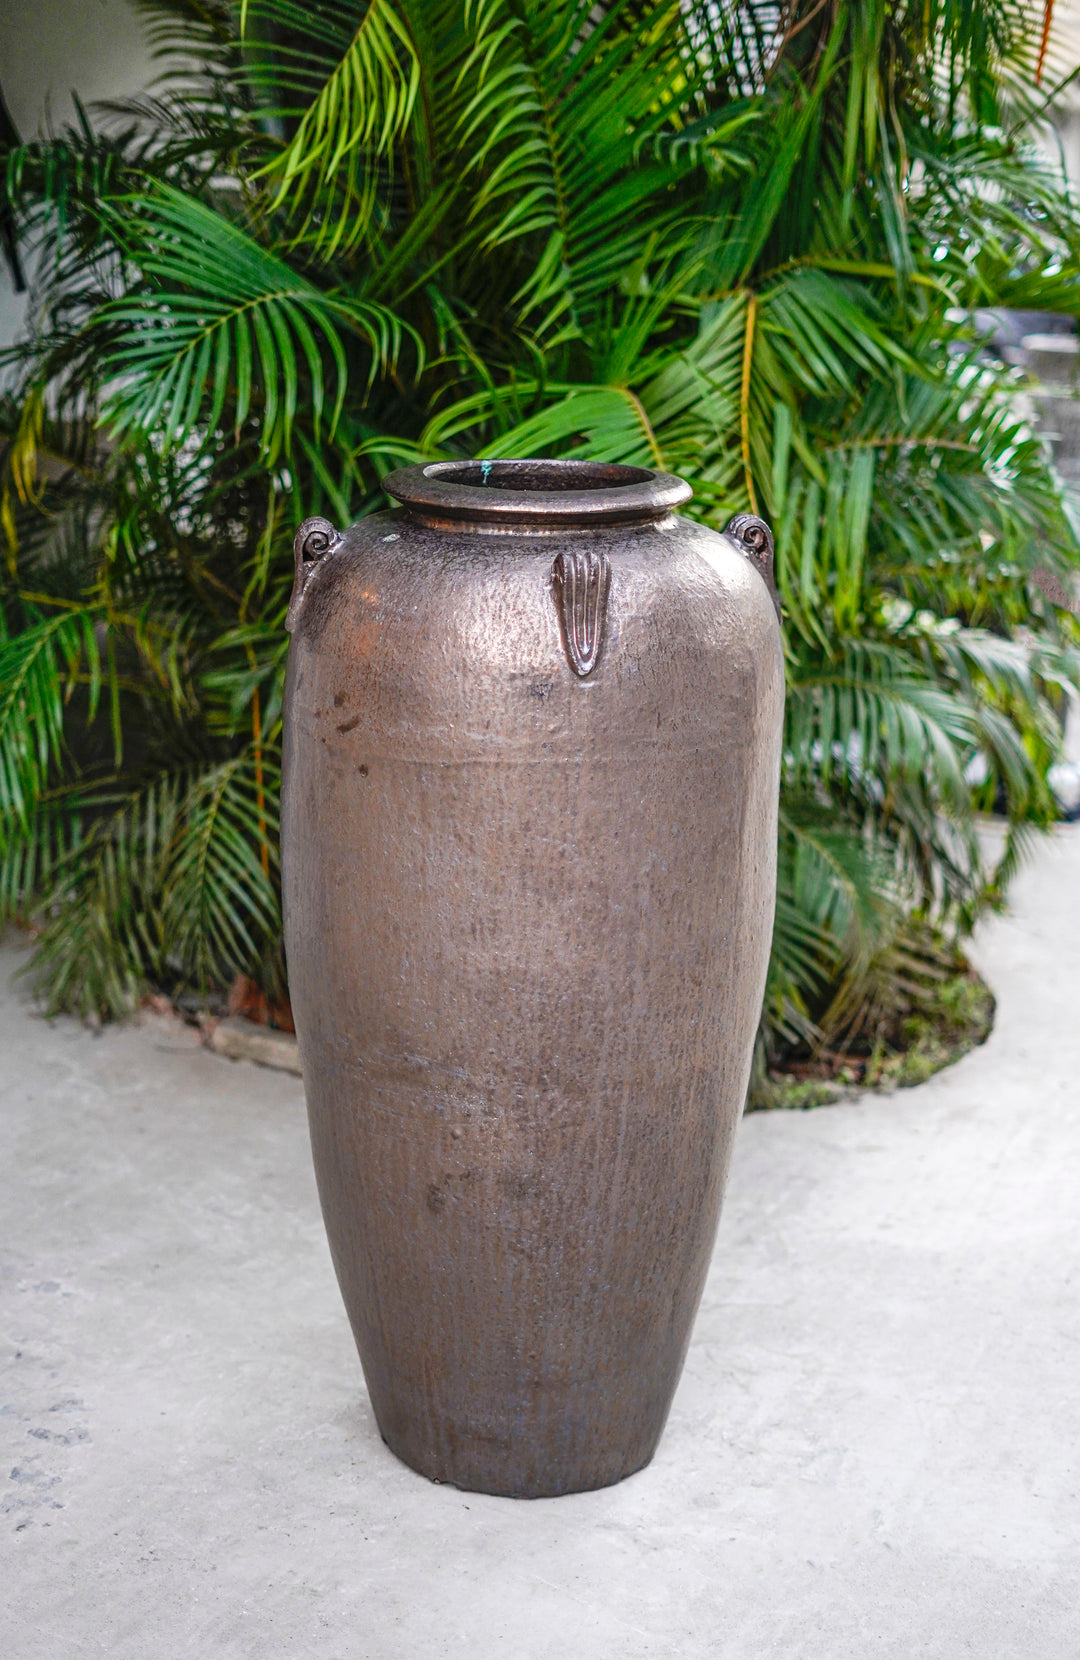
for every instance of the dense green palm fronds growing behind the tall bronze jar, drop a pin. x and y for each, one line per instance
(737, 242)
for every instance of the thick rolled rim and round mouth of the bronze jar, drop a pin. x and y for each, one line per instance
(535, 494)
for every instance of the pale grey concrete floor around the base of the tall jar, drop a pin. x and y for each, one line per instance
(873, 1452)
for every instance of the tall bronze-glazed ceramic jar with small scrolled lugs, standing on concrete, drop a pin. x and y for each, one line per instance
(530, 826)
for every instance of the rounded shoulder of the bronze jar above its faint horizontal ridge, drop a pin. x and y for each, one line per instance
(469, 647)
